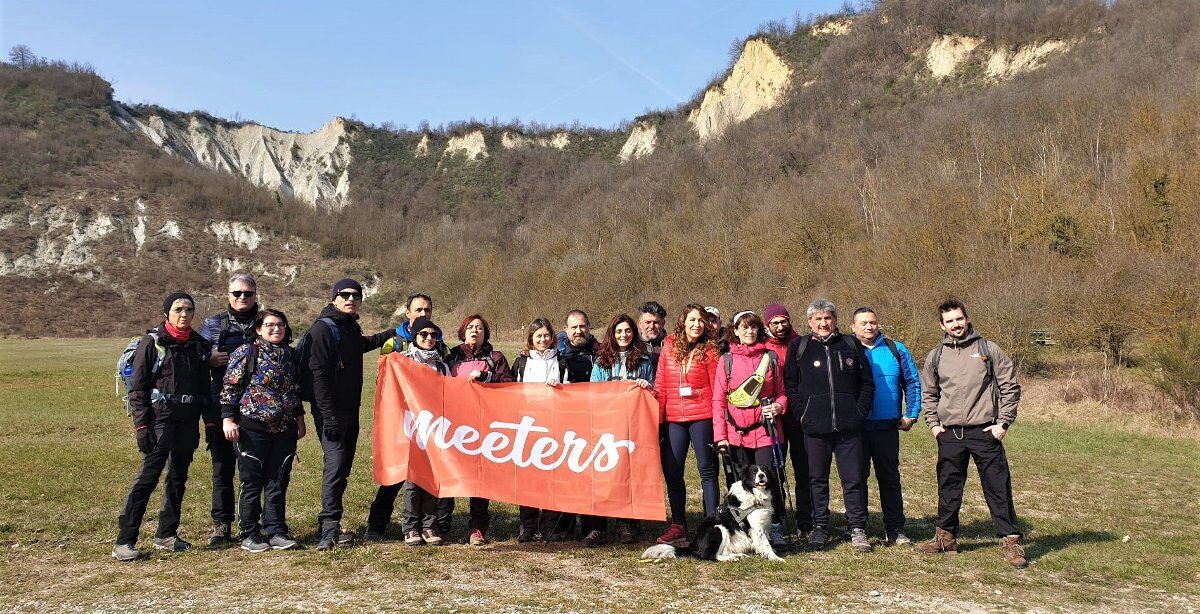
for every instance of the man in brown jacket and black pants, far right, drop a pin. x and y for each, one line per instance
(970, 394)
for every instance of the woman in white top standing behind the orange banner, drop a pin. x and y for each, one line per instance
(539, 363)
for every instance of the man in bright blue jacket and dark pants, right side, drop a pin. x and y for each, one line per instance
(896, 408)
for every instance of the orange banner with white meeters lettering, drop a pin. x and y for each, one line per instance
(579, 448)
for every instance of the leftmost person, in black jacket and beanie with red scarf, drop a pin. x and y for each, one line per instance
(167, 401)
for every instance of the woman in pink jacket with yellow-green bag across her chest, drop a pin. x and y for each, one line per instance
(749, 395)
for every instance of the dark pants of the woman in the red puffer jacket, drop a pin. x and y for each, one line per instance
(699, 435)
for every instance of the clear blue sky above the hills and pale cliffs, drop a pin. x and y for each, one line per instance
(295, 65)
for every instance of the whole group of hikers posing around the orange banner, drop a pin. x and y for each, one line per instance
(752, 390)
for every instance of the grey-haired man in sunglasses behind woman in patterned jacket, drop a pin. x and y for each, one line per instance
(226, 332)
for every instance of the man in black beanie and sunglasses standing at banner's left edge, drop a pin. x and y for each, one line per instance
(338, 395)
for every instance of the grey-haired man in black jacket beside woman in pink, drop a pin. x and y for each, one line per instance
(831, 389)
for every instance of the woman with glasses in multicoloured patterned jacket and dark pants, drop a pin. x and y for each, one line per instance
(263, 417)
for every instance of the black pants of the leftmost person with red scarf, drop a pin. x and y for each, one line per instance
(177, 444)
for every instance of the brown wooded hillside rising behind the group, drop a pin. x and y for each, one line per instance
(1037, 159)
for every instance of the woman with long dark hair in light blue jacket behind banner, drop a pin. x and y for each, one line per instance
(622, 357)
